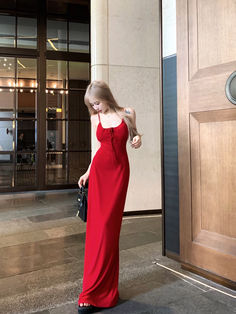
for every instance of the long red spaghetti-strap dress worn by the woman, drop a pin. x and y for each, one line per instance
(107, 189)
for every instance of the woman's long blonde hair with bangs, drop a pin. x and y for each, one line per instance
(101, 91)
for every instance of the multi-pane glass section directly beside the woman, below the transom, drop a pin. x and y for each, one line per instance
(68, 126)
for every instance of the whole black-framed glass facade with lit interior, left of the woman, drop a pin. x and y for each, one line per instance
(45, 130)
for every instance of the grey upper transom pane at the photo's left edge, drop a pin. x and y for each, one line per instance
(7, 31)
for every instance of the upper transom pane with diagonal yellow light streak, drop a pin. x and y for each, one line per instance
(56, 35)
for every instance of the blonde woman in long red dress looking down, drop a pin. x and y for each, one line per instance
(108, 176)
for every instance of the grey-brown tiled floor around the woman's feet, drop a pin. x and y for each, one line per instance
(41, 265)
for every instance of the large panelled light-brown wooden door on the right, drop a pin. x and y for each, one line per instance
(206, 56)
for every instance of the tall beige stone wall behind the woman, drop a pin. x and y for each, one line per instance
(125, 53)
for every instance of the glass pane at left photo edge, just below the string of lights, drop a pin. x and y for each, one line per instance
(6, 103)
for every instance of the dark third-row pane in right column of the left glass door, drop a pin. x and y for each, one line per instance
(25, 135)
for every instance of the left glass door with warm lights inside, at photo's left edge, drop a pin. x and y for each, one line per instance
(18, 122)
